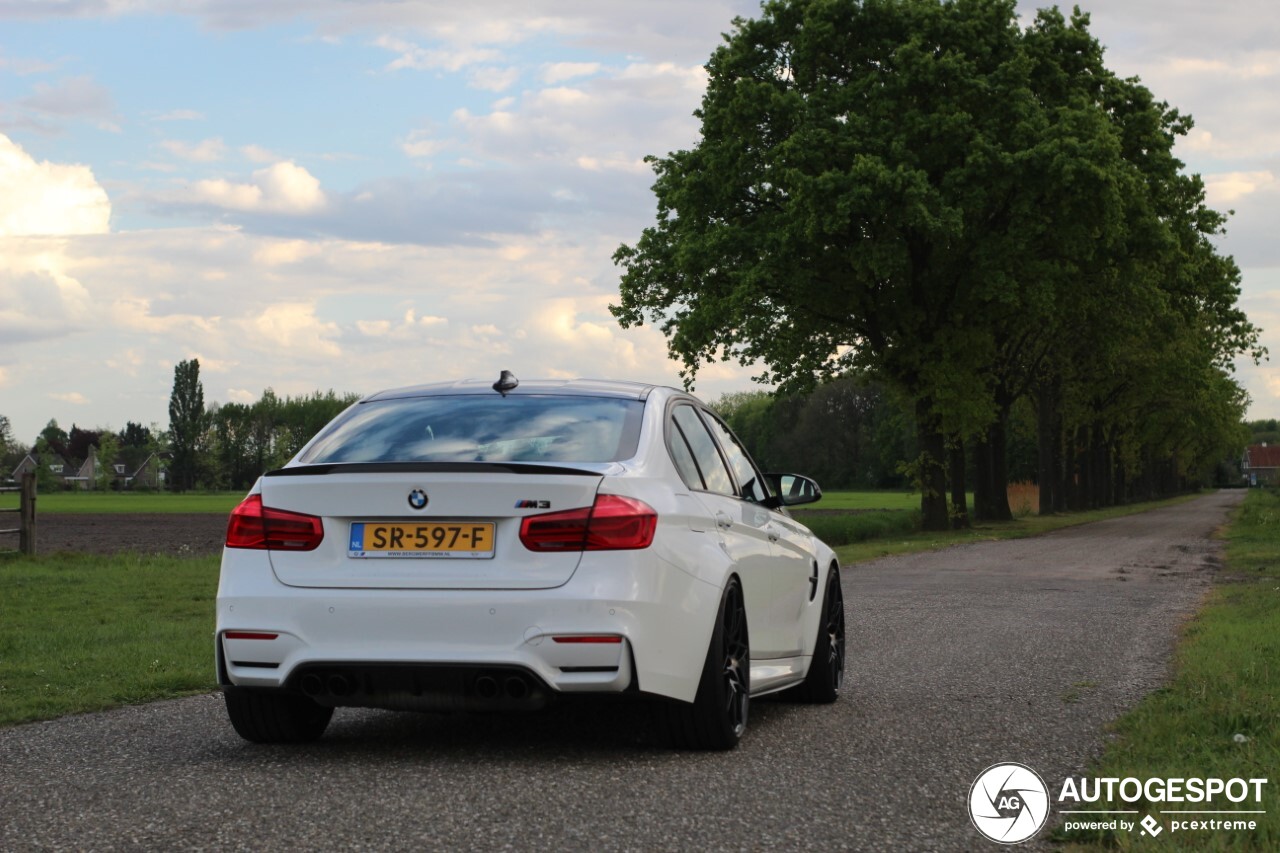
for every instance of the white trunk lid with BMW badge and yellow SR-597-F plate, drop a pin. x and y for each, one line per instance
(459, 498)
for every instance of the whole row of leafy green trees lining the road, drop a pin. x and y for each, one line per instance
(976, 216)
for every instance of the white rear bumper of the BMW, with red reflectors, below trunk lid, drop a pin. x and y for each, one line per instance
(647, 627)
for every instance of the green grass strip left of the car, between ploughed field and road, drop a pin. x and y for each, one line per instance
(86, 633)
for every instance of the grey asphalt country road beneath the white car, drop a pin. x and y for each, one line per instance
(1018, 651)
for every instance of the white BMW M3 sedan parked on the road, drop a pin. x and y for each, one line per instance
(481, 546)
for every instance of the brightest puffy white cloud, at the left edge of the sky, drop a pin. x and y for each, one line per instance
(47, 198)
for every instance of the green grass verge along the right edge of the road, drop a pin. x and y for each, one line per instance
(1219, 717)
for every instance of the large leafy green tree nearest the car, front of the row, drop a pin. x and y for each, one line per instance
(867, 194)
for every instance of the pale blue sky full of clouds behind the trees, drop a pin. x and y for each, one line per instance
(333, 194)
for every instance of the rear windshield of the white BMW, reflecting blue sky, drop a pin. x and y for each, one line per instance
(518, 428)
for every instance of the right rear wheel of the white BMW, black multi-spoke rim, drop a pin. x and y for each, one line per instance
(717, 717)
